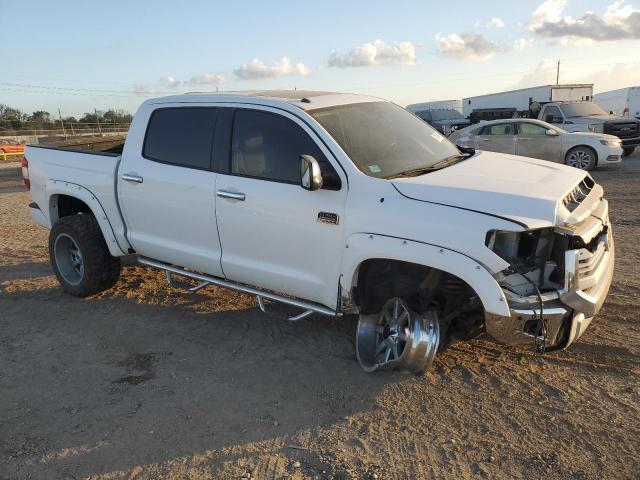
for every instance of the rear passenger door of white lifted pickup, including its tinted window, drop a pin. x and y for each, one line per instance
(167, 188)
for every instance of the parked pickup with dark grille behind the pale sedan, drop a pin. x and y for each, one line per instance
(590, 117)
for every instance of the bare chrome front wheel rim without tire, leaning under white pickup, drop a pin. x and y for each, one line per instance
(397, 337)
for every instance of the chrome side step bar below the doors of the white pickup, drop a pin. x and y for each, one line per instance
(308, 307)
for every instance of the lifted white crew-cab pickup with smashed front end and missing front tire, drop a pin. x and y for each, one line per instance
(334, 204)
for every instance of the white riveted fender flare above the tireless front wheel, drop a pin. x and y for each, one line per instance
(365, 246)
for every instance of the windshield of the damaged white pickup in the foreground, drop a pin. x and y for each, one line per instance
(384, 140)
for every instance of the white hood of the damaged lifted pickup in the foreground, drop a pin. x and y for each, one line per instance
(521, 189)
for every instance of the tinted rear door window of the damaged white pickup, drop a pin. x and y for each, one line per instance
(181, 136)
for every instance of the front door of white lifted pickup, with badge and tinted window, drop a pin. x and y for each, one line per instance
(275, 234)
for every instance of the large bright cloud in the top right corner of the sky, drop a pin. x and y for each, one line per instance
(620, 21)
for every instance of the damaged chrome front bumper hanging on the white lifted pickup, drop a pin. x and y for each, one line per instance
(569, 311)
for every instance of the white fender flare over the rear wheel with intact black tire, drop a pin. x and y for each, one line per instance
(62, 187)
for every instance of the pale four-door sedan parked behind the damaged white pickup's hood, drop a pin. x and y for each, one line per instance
(537, 139)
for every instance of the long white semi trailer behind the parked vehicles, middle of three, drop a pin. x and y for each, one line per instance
(523, 98)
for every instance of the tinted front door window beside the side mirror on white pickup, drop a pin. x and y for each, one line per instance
(268, 146)
